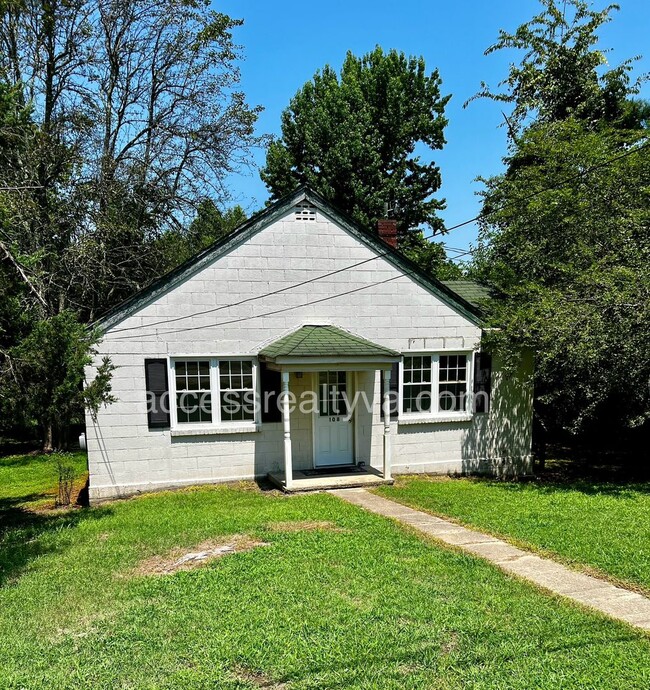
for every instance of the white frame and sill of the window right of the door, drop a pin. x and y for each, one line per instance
(436, 414)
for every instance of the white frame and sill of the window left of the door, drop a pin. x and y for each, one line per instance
(217, 425)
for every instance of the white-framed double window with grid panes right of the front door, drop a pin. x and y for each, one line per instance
(434, 385)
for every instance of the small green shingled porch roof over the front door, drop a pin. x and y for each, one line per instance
(319, 341)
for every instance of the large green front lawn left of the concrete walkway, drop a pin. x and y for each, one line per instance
(360, 603)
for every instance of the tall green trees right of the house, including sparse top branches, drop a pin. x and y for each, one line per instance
(565, 238)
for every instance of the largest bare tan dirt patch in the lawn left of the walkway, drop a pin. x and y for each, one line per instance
(189, 559)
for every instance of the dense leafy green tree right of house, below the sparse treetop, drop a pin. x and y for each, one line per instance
(574, 263)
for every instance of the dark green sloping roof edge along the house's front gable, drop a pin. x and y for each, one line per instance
(265, 218)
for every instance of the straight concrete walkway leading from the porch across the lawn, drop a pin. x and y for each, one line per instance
(613, 601)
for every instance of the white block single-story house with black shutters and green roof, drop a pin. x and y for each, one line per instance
(308, 349)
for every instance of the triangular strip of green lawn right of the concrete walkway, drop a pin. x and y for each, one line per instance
(601, 525)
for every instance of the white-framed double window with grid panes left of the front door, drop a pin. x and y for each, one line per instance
(231, 384)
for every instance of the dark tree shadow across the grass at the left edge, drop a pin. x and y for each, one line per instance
(28, 534)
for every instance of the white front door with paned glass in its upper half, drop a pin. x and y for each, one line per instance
(333, 441)
